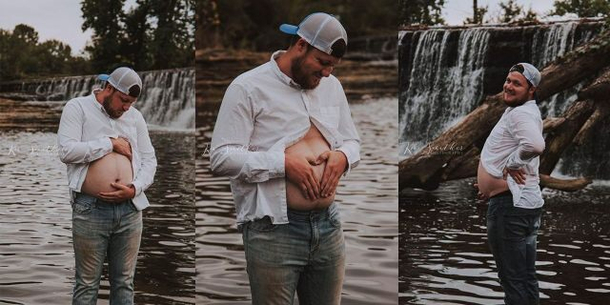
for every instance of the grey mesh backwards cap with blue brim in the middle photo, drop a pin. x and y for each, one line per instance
(322, 31)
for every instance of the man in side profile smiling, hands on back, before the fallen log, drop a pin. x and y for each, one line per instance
(508, 176)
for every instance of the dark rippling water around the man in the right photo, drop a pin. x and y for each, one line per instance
(444, 256)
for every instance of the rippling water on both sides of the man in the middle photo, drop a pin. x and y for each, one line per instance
(367, 202)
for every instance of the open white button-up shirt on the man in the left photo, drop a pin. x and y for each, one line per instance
(84, 136)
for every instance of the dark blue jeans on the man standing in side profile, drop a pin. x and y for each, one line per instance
(512, 233)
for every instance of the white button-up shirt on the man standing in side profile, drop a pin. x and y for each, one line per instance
(519, 130)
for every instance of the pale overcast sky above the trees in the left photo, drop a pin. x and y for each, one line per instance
(52, 19)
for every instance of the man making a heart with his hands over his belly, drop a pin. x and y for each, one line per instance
(285, 135)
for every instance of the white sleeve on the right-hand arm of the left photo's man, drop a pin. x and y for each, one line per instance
(148, 166)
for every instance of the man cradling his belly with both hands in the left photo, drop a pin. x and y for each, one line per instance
(111, 162)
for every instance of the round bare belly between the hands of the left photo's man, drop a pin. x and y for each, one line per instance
(112, 167)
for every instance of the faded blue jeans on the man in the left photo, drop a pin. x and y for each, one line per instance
(103, 230)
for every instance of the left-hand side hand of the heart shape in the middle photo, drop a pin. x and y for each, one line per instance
(300, 172)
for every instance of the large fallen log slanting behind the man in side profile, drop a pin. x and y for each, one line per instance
(429, 167)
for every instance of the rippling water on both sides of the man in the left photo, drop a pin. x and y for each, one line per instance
(36, 255)
